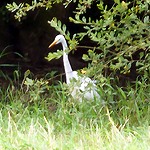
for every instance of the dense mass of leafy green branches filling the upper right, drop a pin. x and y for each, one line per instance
(119, 33)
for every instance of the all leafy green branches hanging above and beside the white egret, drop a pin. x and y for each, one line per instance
(120, 34)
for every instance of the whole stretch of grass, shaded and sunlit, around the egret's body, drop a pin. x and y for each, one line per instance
(42, 117)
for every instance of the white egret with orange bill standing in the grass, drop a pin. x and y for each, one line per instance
(81, 87)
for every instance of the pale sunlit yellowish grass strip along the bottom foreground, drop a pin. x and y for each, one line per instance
(37, 135)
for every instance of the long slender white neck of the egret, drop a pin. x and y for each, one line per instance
(66, 62)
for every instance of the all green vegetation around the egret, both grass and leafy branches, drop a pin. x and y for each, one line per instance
(36, 115)
